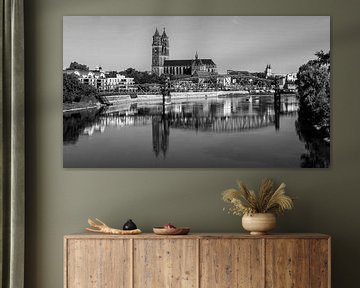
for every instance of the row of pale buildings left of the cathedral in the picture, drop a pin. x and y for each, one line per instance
(103, 81)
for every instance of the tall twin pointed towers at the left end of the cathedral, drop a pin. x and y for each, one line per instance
(160, 52)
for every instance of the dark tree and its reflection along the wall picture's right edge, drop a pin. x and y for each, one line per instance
(313, 124)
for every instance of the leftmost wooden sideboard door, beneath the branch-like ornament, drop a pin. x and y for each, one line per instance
(98, 263)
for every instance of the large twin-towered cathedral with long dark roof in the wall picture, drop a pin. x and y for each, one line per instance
(161, 64)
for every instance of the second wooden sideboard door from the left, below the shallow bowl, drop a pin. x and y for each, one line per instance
(166, 263)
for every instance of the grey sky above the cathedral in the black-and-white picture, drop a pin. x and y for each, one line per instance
(233, 42)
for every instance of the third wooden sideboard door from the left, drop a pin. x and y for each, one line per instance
(231, 263)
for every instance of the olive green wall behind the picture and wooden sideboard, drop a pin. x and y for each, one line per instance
(60, 200)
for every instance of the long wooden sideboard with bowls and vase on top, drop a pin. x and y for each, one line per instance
(197, 260)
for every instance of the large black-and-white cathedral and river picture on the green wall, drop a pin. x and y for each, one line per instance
(196, 92)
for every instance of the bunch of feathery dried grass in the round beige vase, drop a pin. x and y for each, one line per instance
(245, 201)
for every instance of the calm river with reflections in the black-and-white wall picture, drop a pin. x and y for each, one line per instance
(203, 133)
